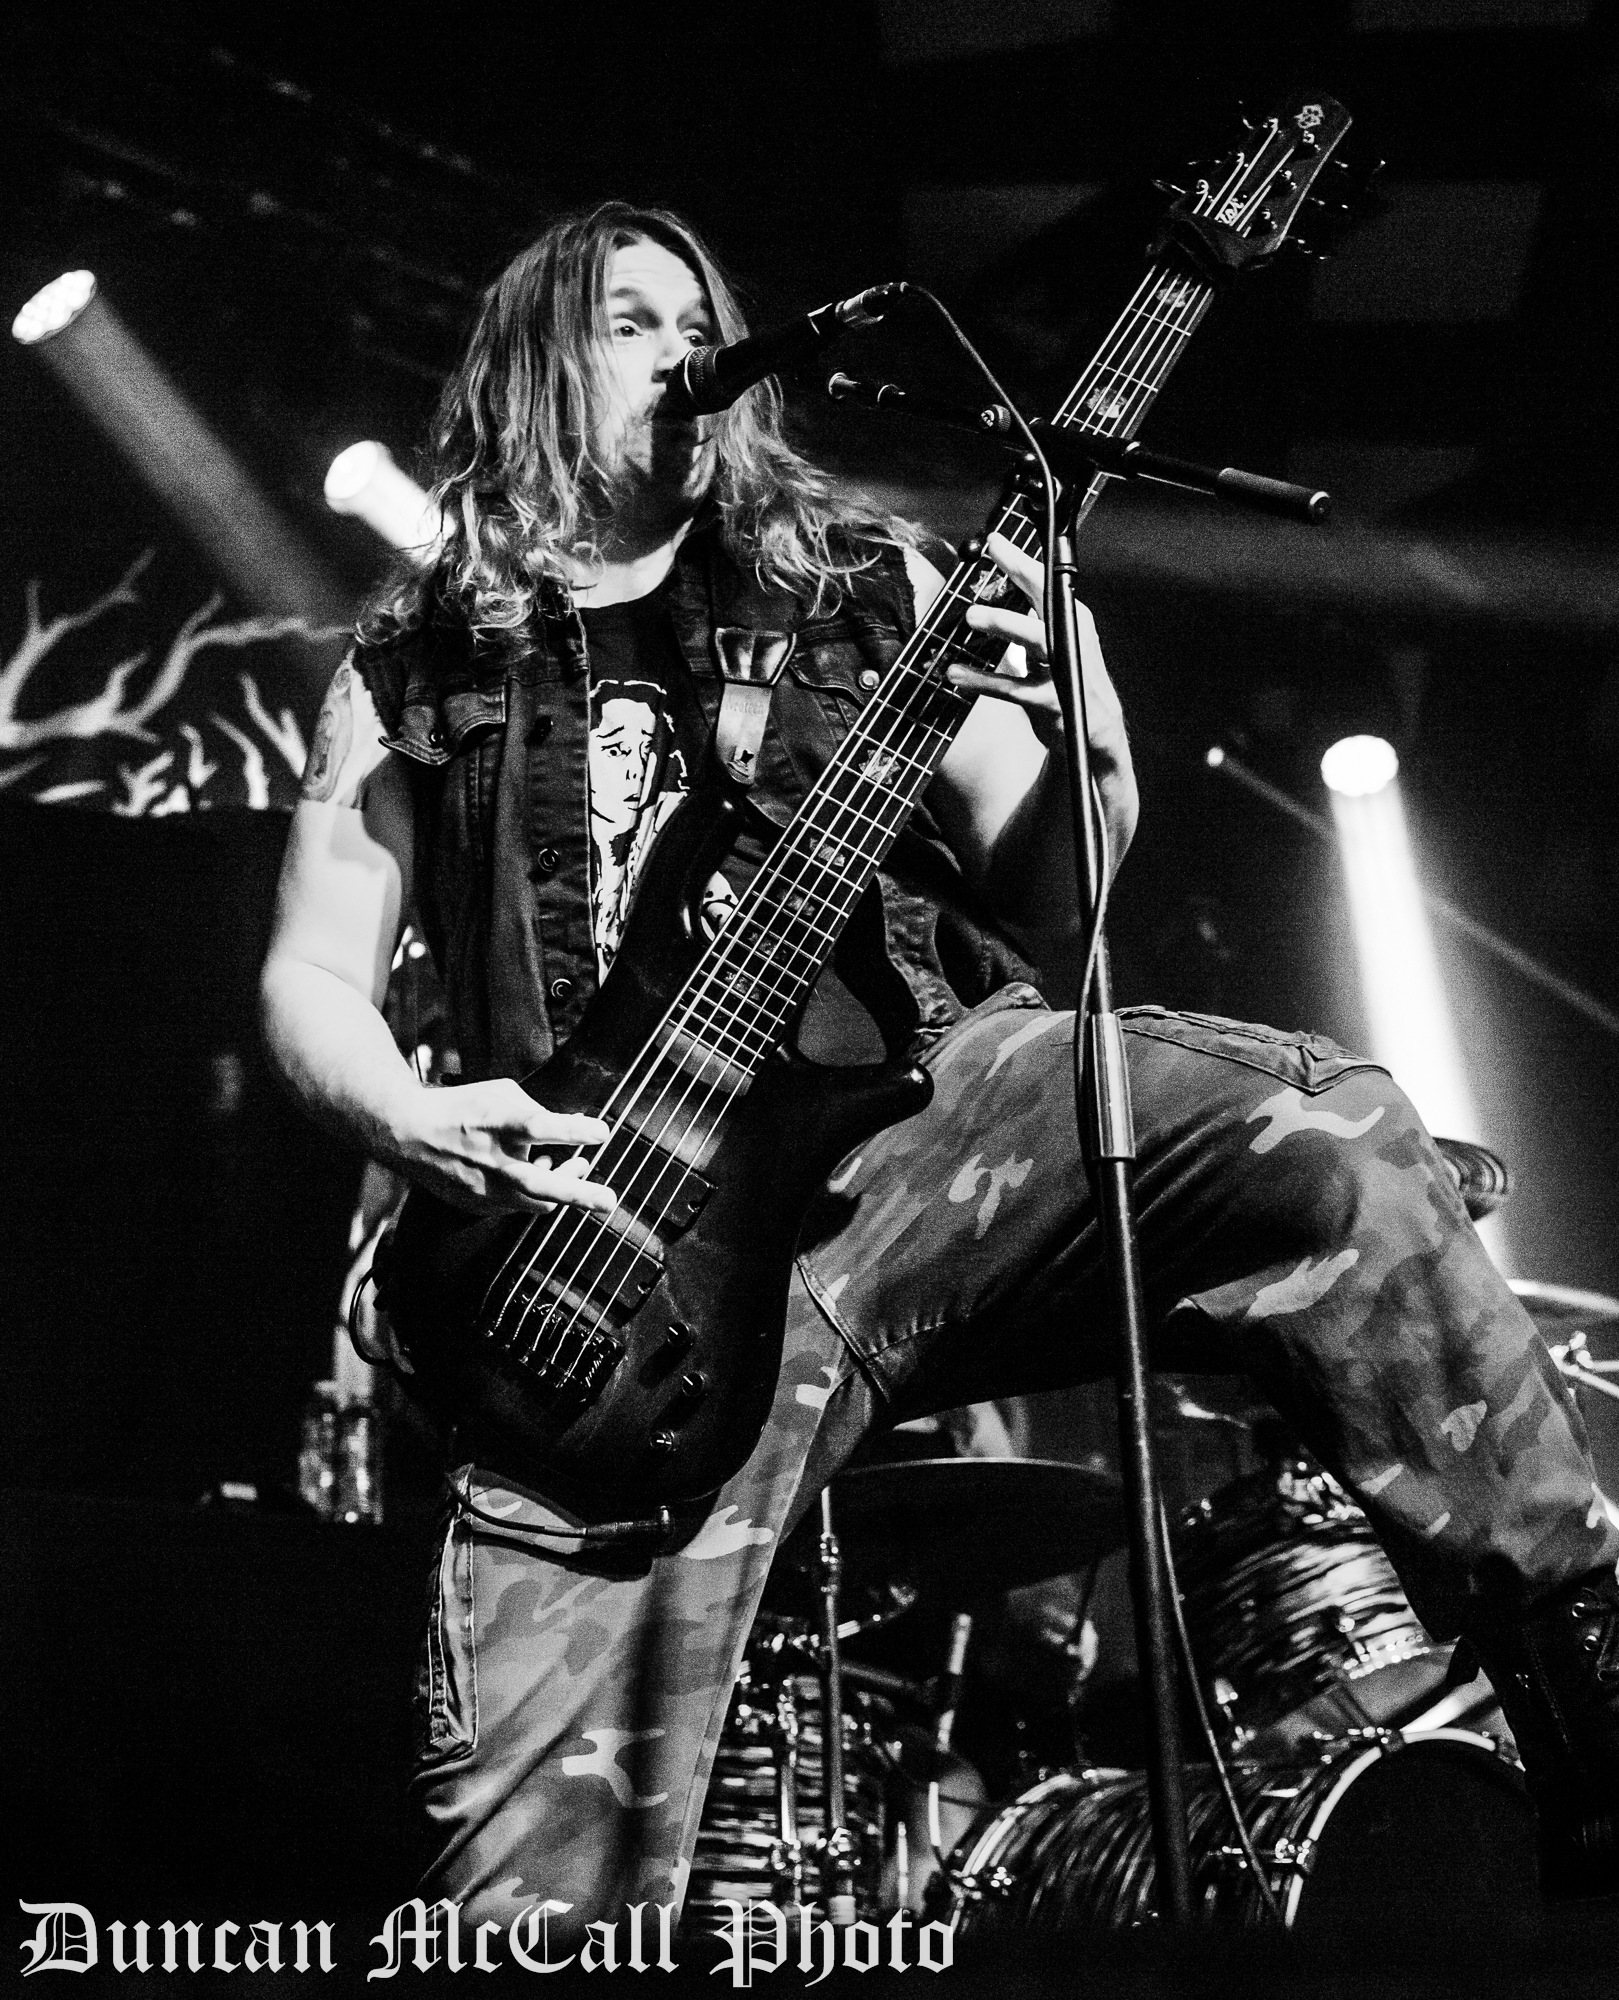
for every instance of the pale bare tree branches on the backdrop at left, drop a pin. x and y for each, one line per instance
(179, 777)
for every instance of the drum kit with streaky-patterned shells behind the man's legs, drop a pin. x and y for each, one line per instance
(1368, 1763)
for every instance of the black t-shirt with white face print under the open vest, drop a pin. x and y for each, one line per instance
(647, 739)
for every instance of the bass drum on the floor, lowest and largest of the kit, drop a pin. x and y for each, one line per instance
(1402, 1833)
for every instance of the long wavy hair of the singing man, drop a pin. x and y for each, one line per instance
(519, 479)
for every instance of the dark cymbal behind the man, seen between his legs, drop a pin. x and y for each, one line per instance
(960, 1529)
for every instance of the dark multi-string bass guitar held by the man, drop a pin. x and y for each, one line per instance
(631, 1361)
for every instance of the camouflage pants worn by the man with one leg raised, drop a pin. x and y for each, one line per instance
(1296, 1223)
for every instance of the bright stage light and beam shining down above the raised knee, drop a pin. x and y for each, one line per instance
(1408, 1017)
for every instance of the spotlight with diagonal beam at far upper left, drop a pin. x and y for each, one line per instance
(135, 403)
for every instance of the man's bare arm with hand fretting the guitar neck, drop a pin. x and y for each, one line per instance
(1002, 789)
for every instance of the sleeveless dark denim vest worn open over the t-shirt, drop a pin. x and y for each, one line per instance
(495, 741)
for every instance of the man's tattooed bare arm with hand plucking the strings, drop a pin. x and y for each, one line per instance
(345, 883)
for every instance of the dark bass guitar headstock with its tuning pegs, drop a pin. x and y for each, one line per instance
(1240, 213)
